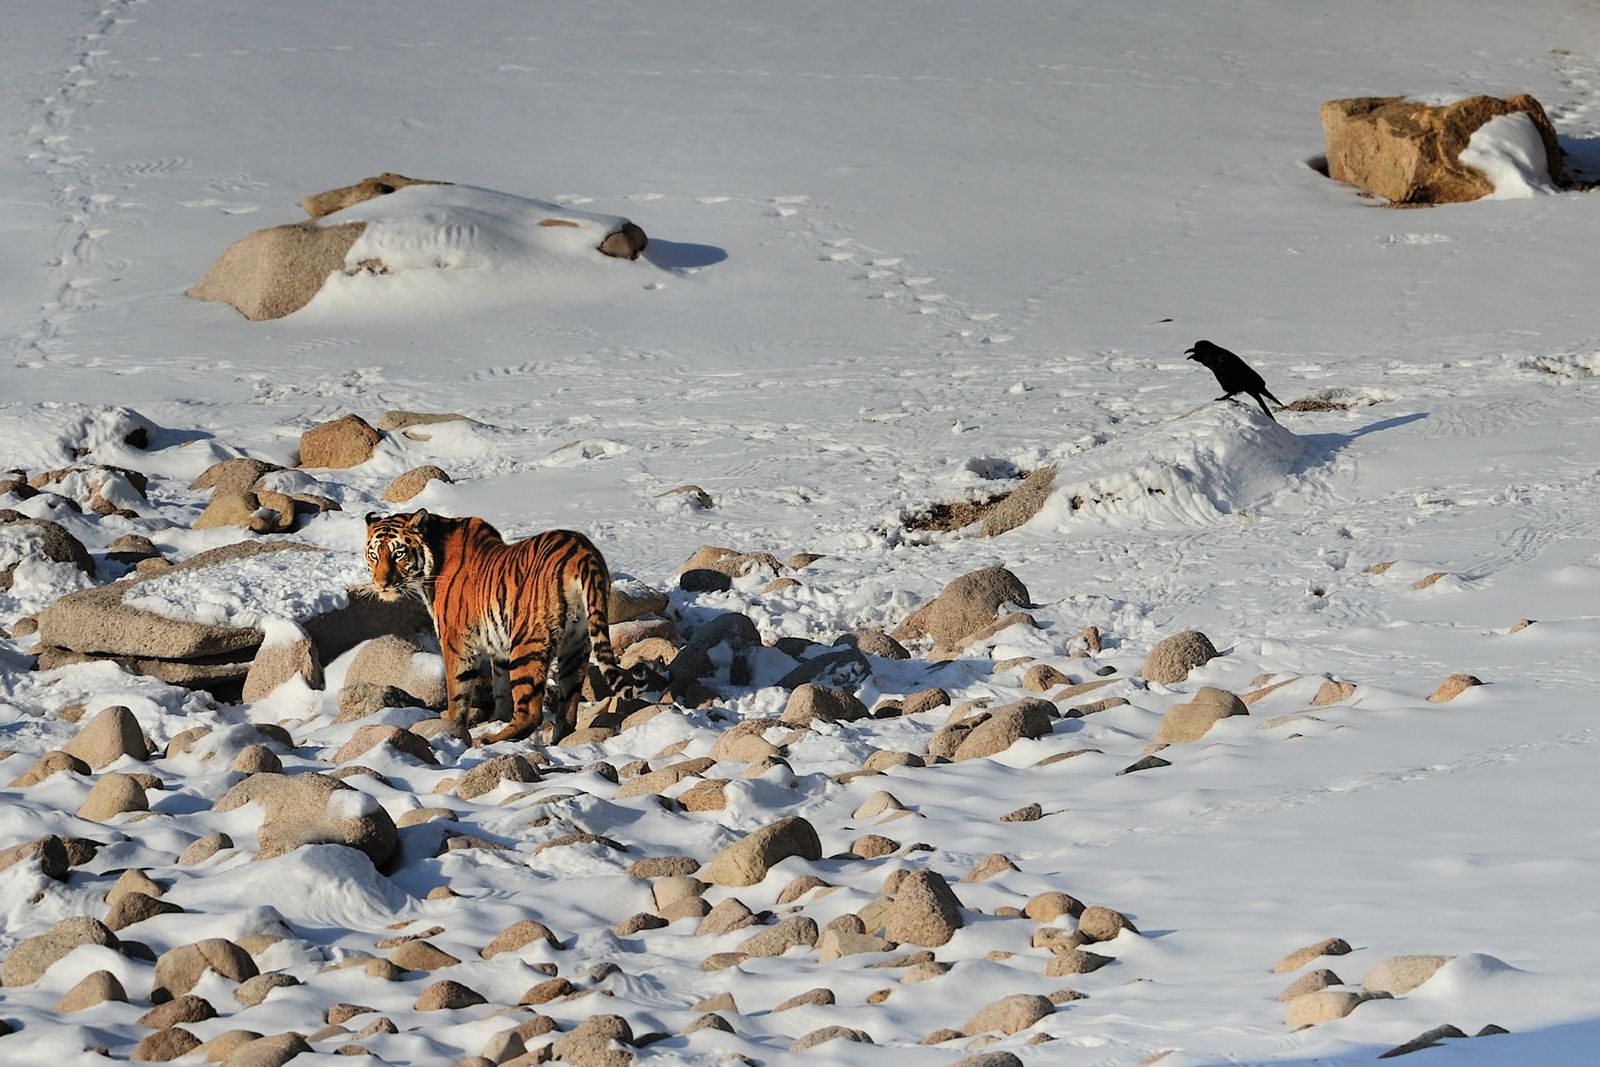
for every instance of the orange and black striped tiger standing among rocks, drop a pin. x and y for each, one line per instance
(537, 610)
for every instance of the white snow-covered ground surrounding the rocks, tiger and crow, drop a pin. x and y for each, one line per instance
(898, 255)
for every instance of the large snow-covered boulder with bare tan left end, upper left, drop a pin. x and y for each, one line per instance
(393, 226)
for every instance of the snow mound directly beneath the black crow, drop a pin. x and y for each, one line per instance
(1194, 470)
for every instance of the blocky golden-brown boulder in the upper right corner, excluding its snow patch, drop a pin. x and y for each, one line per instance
(1410, 153)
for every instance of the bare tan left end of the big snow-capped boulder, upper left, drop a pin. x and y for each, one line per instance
(278, 271)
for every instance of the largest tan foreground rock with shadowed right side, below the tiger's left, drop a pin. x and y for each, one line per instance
(313, 810)
